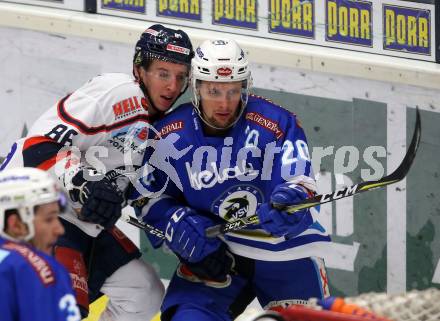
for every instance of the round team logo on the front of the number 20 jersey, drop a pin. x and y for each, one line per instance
(238, 202)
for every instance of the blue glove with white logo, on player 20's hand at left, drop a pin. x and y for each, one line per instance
(185, 235)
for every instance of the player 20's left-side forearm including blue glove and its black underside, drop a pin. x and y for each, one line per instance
(183, 226)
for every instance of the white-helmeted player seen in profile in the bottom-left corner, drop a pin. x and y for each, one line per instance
(33, 286)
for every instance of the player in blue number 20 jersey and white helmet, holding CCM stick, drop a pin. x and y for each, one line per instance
(237, 154)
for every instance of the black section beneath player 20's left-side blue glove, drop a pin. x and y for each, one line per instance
(215, 267)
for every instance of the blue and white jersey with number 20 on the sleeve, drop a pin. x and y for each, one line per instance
(229, 177)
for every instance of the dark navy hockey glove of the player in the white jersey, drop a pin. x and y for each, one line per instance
(101, 200)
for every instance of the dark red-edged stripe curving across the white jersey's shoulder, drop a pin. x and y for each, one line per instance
(92, 130)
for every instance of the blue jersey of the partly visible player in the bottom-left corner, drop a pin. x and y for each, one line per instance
(33, 286)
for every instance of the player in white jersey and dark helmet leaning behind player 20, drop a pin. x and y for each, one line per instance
(92, 140)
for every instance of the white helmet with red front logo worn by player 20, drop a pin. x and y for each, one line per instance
(220, 60)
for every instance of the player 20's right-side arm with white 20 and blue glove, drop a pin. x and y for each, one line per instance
(291, 181)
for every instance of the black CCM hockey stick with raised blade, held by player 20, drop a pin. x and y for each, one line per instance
(392, 178)
